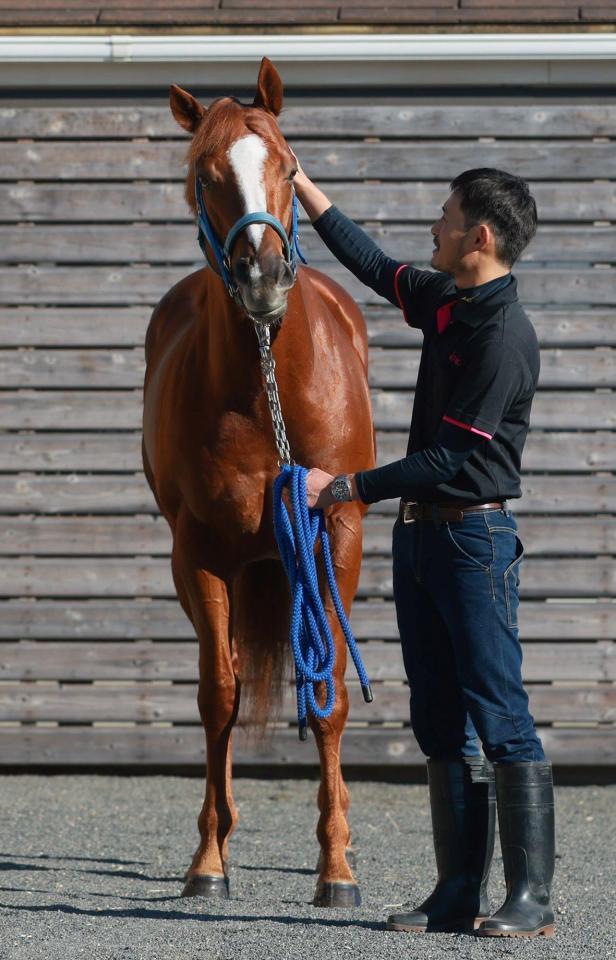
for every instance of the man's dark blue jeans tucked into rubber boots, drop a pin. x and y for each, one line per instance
(456, 593)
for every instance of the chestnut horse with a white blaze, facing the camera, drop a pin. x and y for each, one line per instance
(211, 460)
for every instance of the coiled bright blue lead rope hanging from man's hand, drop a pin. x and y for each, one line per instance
(312, 640)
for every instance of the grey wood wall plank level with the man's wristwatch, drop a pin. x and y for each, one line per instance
(76, 493)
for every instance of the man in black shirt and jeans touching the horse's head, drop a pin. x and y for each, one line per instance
(456, 552)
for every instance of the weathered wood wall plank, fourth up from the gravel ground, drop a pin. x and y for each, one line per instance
(156, 619)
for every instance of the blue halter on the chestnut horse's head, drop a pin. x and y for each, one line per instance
(223, 253)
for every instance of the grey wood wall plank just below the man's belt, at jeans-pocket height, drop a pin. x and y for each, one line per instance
(150, 536)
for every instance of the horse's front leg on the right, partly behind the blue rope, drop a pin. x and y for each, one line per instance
(336, 885)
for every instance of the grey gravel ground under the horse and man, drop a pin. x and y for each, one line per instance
(92, 868)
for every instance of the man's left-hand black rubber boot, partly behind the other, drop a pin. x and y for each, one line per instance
(463, 806)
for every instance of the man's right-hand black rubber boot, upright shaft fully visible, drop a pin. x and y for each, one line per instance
(525, 798)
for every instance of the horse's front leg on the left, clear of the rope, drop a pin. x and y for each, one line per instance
(219, 693)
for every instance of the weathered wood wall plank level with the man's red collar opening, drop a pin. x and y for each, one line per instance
(69, 326)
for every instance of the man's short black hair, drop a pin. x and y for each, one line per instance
(504, 202)
